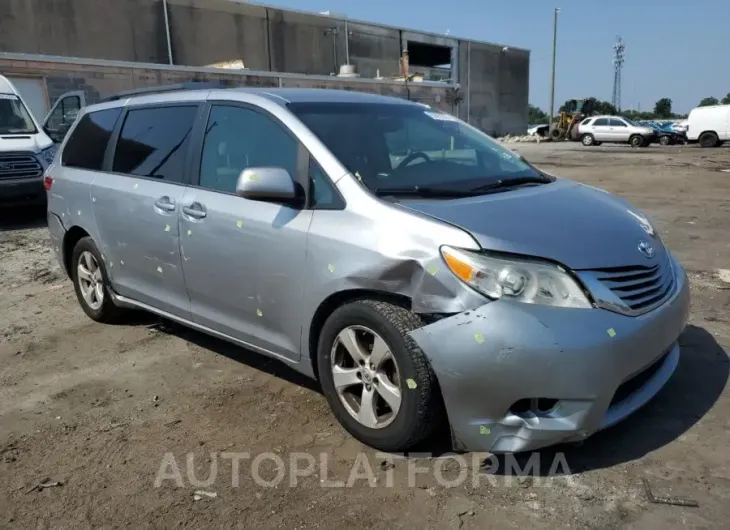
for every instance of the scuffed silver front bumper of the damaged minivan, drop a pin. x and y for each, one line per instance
(600, 366)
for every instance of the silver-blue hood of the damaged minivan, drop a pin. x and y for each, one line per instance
(574, 224)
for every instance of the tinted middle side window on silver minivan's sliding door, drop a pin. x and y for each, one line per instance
(154, 142)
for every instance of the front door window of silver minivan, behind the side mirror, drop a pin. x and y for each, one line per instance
(237, 138)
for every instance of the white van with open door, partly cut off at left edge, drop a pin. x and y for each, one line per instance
(27, 148)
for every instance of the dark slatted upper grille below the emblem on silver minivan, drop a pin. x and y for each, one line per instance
(639, 287)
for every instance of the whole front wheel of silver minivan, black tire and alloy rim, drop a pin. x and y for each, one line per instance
(376, 379)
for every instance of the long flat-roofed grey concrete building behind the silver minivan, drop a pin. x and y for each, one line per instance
(485, 84)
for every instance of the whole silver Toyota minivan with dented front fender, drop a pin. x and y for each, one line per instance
(424, 274)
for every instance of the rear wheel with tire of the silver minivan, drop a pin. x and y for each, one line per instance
(91, 283)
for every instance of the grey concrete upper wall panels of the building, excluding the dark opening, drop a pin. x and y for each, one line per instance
(494, 87)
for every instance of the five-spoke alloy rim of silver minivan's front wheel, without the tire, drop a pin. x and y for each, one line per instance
(366, 376)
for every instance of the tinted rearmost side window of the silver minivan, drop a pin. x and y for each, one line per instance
(88, 141)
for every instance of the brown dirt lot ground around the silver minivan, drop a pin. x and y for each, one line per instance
(91, 411)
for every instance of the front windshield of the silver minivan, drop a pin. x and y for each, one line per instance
(393, 146)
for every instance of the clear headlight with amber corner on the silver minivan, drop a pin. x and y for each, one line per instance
(527, 281)
